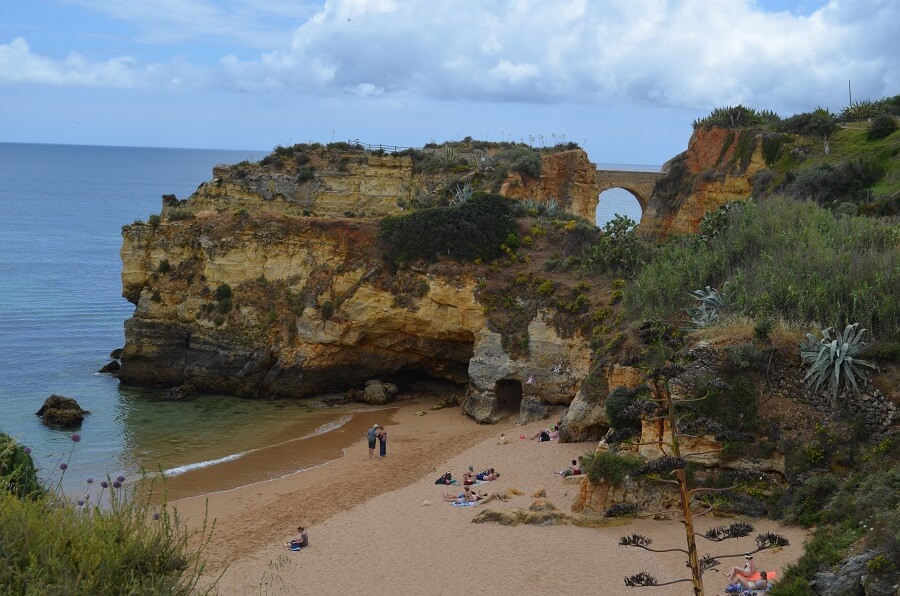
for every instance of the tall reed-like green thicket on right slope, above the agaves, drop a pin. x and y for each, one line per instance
(787, 259)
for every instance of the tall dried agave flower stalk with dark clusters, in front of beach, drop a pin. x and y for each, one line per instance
(673, 465)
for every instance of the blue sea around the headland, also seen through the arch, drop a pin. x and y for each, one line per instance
(61, 314)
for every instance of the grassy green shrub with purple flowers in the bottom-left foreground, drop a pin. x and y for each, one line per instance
(113, 541)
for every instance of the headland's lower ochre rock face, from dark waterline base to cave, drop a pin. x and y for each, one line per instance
(307, 307)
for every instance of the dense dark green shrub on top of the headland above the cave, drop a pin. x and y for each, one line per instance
(473, 230)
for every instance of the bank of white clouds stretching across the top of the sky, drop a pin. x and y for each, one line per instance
(683, 53)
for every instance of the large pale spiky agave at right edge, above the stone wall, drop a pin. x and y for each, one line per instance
(833, 360)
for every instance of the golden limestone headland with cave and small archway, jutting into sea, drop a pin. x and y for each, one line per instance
(270, 280)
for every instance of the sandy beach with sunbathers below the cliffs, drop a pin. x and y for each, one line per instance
(381, 525)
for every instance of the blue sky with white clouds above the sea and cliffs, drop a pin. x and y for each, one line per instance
(624, 79)
